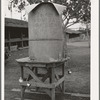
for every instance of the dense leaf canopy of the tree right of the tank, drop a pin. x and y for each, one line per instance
(79, 10)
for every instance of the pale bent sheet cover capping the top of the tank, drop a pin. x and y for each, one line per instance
(58, 7)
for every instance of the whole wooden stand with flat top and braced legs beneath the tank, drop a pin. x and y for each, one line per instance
(32, 69)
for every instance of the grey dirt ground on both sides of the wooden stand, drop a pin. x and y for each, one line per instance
(76, 82)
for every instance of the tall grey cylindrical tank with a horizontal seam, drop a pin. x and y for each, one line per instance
(45, 33)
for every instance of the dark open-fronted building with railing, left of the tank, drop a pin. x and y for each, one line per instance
(16, 34)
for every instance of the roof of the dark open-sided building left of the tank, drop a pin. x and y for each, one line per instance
(15, 23)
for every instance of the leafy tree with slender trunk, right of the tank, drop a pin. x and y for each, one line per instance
(76, 11)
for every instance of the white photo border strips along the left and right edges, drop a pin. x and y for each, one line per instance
(94, 50)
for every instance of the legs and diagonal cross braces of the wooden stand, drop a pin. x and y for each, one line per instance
(49, 88)
